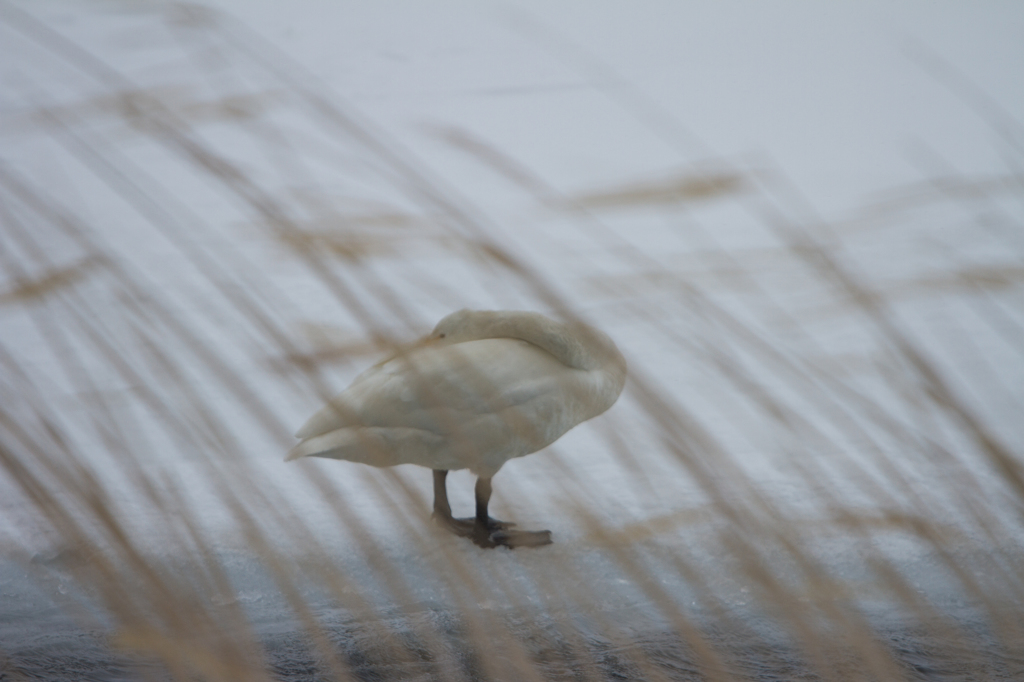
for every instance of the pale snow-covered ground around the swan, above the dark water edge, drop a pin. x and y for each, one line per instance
(801, 224)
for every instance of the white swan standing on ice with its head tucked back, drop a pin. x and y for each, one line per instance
(484, 388)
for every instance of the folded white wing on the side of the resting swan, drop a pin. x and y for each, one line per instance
(444, 390)
